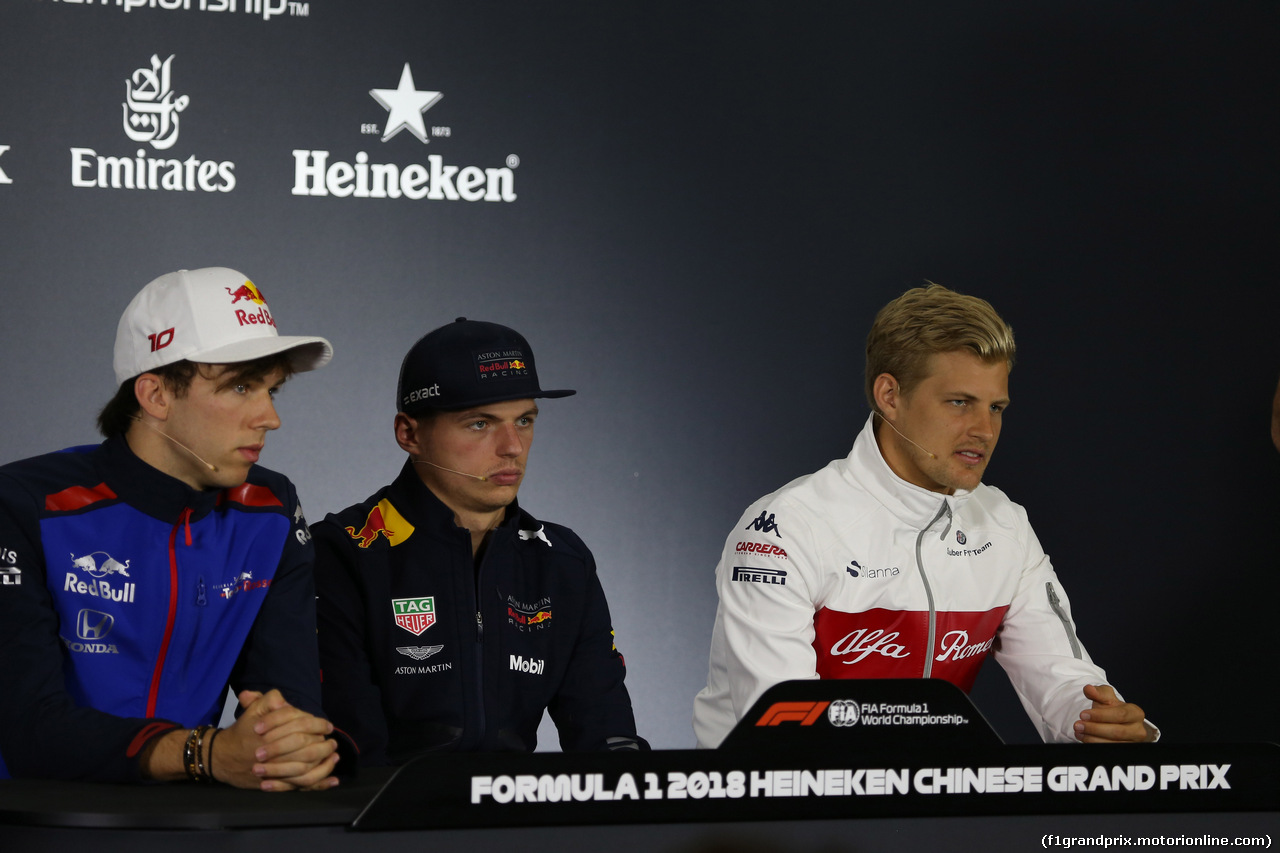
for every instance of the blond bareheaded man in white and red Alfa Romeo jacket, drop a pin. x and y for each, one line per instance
(898, 562)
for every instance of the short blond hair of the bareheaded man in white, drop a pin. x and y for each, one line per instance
(927, 321)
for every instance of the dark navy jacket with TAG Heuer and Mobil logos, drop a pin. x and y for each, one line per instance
(423, 649)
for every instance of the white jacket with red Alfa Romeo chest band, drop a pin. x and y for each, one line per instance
(854, 573)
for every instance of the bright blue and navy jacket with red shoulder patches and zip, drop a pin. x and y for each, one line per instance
(130, 603)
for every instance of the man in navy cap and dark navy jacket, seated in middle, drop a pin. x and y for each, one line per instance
(450, 618)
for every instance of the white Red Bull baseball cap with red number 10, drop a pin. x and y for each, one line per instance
(213, 316)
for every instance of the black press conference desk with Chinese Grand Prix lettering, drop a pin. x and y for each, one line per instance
(685, 801)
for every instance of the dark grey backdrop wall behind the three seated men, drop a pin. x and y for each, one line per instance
(714, 200)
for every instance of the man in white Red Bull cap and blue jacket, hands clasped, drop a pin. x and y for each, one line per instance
(143, 577)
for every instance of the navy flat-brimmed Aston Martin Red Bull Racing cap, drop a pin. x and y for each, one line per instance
(468, 363)
